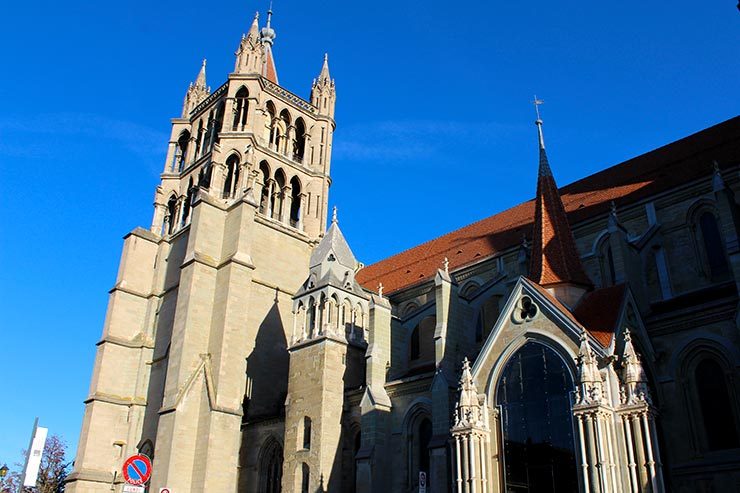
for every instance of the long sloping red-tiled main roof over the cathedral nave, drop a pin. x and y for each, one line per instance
(662, 169)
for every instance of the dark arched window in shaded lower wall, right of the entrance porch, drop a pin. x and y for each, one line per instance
(716, 406)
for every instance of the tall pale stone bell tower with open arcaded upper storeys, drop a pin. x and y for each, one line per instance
(207, 290)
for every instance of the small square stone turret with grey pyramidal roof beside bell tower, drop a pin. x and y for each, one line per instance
(327, 353)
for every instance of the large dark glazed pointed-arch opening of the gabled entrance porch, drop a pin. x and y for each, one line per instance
(533, 394)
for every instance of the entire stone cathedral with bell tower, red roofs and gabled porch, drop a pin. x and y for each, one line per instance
(584, 341)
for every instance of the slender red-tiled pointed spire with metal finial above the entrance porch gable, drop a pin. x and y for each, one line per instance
(555, 260)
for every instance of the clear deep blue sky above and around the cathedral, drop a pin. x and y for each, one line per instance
(435, 130)
